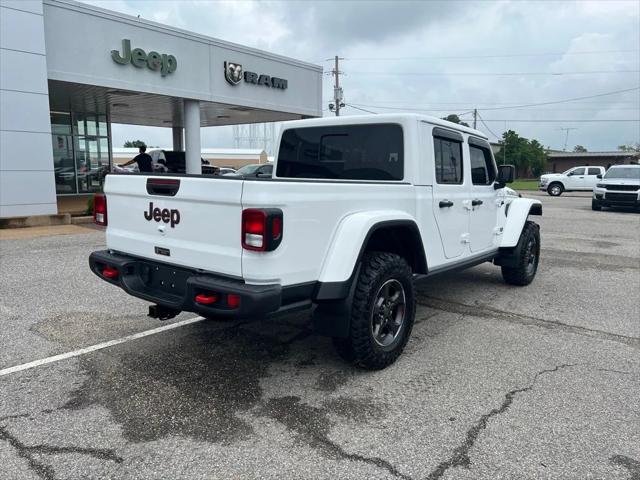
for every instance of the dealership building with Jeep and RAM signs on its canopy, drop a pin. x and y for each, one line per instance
(68, 70)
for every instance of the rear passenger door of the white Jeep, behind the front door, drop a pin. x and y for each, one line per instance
(450, 192)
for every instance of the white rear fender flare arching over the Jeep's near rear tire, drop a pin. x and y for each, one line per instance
(348, 246)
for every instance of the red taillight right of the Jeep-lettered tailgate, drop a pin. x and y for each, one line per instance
(261, 229)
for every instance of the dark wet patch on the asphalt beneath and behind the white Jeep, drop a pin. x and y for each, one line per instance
(205, 382)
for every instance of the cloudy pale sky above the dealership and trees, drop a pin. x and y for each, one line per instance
(444, 57)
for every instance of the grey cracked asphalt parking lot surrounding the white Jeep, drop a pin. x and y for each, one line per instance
(496, 382)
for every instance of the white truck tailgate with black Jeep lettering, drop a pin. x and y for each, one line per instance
(196, 226)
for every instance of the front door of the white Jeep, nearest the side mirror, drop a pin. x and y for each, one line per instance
(484, 207)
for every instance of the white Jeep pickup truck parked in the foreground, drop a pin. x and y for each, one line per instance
(357, 210)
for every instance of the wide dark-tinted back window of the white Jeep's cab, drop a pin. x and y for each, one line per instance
(346, 152)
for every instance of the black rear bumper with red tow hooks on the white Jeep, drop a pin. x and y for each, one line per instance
(176, 287)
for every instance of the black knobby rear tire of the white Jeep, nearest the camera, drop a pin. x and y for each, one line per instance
(360, 347)
